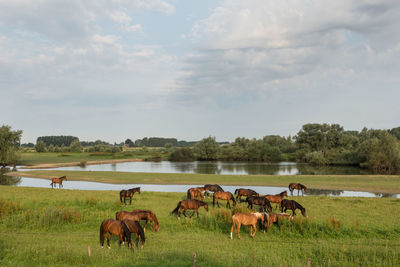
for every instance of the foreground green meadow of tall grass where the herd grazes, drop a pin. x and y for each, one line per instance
(55, 227)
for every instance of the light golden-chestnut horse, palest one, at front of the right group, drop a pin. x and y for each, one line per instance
(247, 219)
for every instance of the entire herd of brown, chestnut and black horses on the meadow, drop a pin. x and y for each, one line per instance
(126, 222)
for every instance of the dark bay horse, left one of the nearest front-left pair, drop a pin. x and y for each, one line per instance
(114, 227)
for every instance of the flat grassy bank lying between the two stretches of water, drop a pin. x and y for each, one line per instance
(369, 183)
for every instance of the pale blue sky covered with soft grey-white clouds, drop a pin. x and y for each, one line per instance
(119, 69)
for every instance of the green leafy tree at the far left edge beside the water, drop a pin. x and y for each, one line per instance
(9, 145)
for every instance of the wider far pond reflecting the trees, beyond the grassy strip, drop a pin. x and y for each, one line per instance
(218, 167)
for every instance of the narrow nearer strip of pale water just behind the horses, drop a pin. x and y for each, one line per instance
(263, 190)
